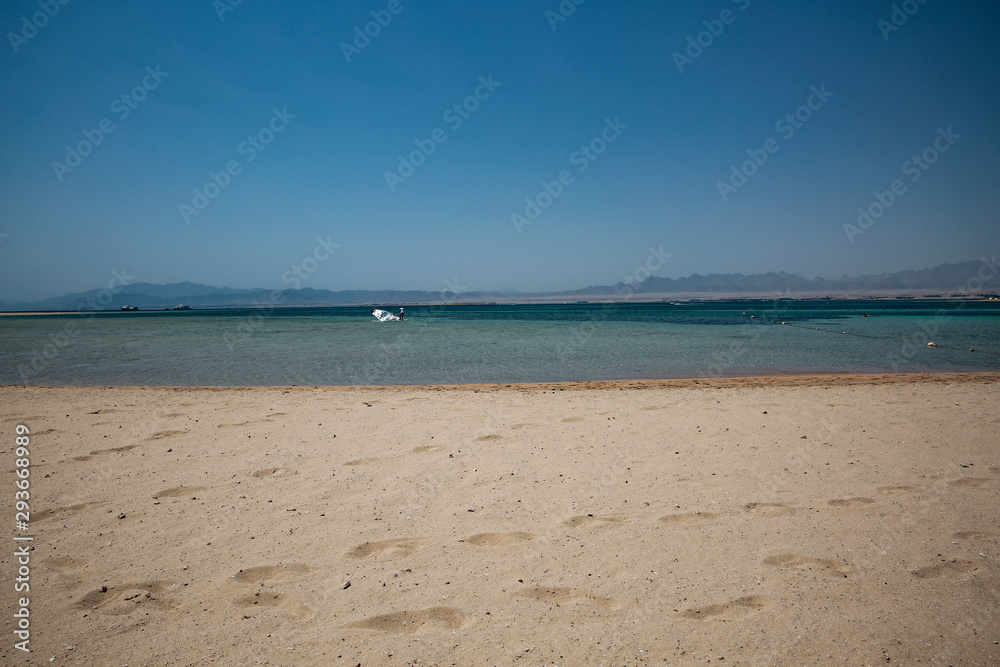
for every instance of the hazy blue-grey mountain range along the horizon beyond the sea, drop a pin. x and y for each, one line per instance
(951, 278)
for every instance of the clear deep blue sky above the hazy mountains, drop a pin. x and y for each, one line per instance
(220, 81)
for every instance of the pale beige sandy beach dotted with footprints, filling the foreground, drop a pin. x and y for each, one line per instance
(818, 520)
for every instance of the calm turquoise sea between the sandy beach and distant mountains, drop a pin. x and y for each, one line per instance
(497, 343)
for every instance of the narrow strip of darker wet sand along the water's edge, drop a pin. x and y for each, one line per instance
(792, 378)
